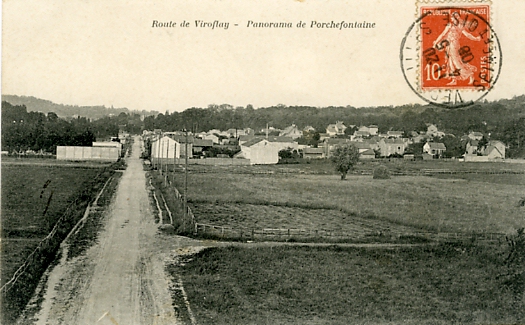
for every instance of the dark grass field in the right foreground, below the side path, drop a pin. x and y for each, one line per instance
(444, 284)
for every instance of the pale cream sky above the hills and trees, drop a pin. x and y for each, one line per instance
(80, 52)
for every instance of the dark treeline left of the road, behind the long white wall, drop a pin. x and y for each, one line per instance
(23, 130)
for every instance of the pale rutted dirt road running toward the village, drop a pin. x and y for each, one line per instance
(121, 279)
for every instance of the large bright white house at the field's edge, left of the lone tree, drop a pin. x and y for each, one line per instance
(262, 151)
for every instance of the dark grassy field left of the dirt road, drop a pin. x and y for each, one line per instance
(34, 198)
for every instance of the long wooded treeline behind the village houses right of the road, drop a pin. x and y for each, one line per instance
(501, 120)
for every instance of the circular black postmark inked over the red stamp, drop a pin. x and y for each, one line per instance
(450, 56)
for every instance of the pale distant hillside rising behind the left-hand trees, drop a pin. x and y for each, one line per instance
(34, 104)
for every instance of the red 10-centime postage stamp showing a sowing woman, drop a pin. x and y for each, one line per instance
(455, 48)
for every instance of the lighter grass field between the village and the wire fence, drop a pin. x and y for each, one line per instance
(464, 202)
